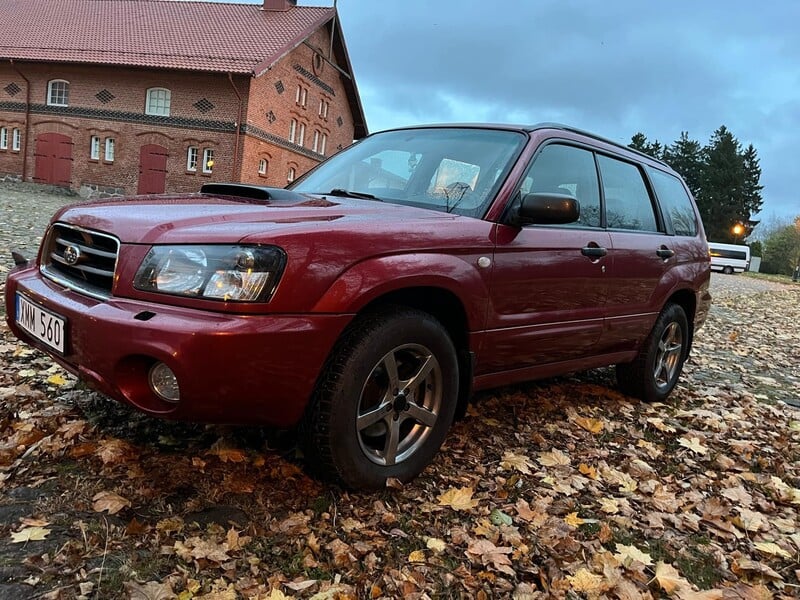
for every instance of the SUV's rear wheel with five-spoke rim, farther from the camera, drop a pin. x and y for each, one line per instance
(652, 376)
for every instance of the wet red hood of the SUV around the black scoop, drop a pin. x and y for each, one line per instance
(225, 219)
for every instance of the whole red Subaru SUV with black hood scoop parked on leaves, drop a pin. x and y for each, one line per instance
(368, 301)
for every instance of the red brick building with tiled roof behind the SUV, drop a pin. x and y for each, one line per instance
(145, 96)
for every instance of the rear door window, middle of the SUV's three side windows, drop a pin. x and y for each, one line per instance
(628, 204)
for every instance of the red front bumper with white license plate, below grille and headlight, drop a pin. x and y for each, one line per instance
(237, 369)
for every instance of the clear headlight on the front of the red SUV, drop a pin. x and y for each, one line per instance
(230, 273)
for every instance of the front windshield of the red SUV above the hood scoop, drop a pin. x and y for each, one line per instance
(454, 170)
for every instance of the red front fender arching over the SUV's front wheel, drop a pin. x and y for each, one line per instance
(375, 277)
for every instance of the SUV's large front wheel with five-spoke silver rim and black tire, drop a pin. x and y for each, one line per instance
(366, 424)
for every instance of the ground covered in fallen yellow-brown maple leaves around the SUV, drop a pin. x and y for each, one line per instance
(562, 489)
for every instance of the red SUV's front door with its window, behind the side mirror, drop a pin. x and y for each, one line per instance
(548, 290)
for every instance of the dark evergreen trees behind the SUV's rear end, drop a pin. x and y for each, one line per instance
(723, 176)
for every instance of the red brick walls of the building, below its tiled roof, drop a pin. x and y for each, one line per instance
(109, 104)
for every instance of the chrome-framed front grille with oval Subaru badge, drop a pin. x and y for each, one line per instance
(80, 259)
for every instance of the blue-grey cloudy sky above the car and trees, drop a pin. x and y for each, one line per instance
(612, 67)
